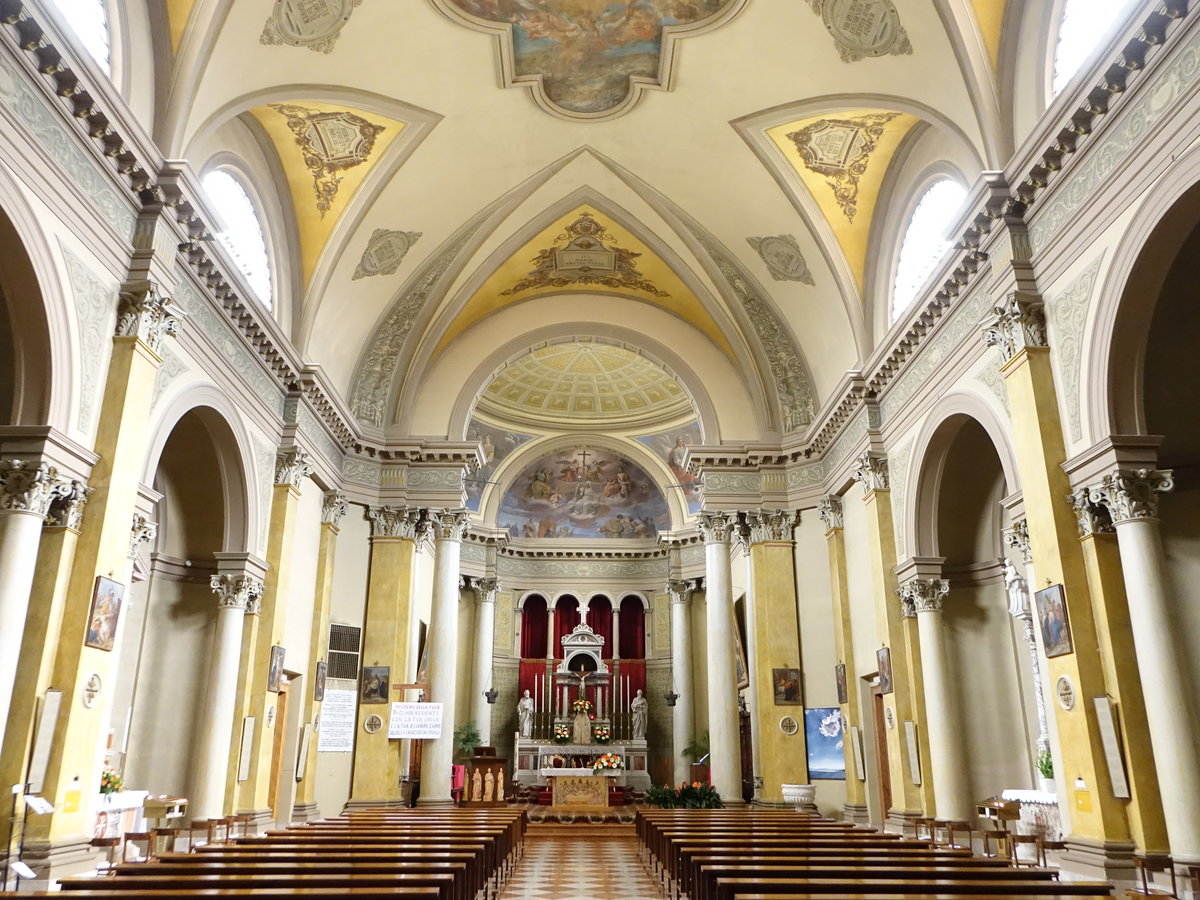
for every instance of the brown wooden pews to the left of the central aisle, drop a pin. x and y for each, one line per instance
(370, 855)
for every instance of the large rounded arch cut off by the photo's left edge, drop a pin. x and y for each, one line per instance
(39, 322)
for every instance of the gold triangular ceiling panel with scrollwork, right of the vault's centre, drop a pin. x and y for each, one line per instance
(842, 160)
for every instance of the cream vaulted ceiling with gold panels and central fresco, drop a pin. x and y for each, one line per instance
(451, 184)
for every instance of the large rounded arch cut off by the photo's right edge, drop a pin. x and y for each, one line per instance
(1129, 297)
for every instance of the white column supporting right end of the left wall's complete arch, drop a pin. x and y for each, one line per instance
(237, 595)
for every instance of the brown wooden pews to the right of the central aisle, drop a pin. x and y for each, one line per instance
(782, 855)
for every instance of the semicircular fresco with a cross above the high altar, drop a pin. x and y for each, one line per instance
(584, 493)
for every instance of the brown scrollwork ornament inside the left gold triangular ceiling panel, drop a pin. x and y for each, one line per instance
(331, 143)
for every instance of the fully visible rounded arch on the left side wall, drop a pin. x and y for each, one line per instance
(233, 451)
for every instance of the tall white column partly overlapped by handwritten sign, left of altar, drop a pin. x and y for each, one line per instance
(437, 755)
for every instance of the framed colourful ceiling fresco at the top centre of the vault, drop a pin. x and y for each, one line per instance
(590, 59)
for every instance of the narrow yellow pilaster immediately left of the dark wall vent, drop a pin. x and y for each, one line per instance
(333, 507)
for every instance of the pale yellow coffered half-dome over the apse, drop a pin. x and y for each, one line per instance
(585, 383)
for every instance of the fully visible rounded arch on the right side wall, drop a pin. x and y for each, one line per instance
(934, 445)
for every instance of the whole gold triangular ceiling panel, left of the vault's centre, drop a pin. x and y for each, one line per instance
(327, 153)
